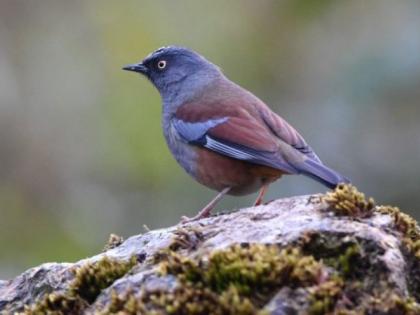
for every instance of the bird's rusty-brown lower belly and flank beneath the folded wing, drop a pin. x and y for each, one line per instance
(218, 172)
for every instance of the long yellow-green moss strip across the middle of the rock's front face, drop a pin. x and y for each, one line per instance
(253, 268)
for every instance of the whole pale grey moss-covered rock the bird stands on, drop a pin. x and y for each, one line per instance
(302, 255)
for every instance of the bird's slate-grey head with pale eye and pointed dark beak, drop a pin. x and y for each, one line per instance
(178, 73)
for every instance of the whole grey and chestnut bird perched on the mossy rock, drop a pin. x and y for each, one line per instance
(223, 135)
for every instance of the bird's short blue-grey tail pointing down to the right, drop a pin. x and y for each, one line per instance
(322, 173)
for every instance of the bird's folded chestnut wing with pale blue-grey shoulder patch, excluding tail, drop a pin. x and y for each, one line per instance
(237, 133)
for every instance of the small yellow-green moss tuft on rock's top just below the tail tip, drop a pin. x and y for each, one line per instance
(346, 200)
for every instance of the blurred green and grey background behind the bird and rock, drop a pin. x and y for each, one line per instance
(81, 149)
